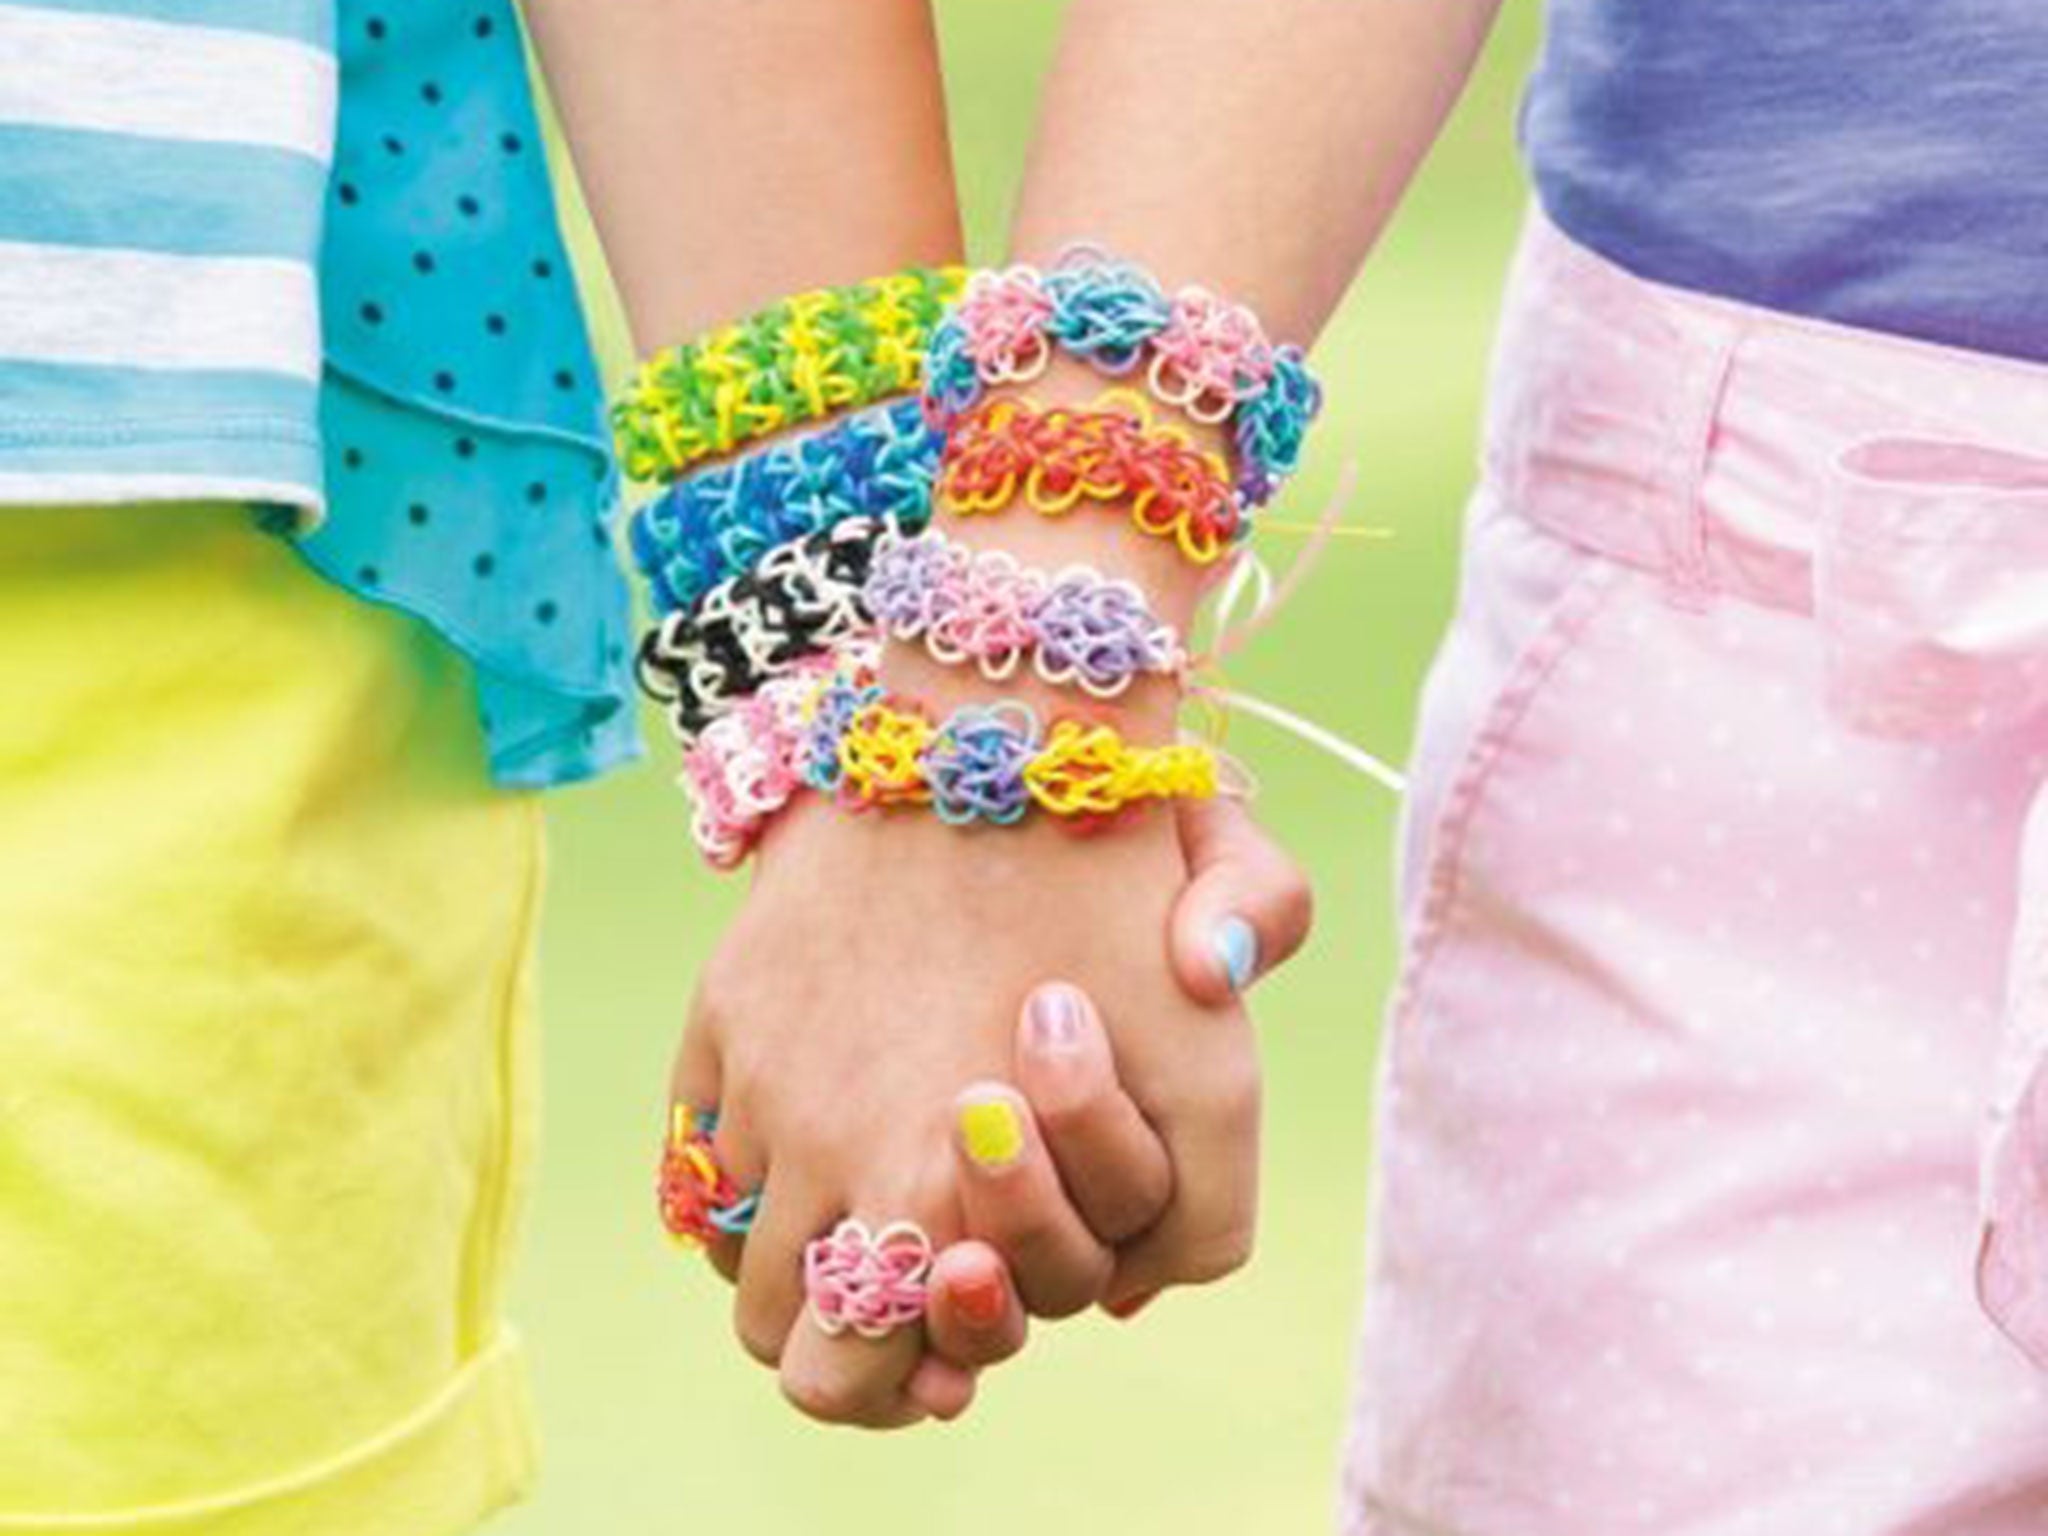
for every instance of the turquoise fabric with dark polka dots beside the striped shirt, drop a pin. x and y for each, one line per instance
(468, 462)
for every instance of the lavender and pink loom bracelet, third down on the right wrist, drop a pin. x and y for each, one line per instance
(1076, 626)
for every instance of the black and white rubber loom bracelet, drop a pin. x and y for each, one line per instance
(802, 599)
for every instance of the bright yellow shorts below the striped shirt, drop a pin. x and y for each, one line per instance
(265, 1048)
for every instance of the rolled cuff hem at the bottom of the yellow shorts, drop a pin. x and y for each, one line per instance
(445, 1467)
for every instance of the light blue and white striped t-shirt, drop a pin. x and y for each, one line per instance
(163, 179)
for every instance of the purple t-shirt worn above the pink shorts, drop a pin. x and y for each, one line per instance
(1875, 163)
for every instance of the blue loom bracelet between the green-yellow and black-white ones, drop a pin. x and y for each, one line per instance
(724, 521)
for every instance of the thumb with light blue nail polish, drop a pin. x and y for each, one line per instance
(1246, 906)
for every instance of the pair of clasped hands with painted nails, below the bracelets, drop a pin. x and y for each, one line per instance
(1029, 1043)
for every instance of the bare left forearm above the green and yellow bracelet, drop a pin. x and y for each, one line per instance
(742, 151)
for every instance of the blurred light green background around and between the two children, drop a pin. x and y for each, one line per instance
(1220, 1410)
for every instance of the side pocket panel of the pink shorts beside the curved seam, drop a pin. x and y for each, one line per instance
(1525, 601)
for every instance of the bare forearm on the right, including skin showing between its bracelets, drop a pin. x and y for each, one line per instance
(1254, 151)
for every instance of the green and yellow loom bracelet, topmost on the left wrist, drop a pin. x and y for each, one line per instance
(798, 361)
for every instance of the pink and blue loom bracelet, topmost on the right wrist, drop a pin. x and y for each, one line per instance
(1199, 353)
